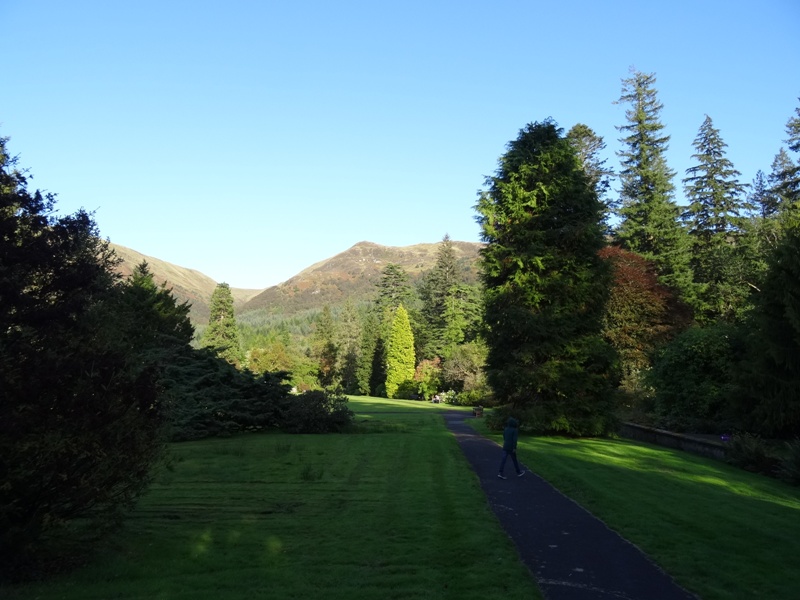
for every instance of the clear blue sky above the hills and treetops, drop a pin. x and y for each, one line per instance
(250, 139)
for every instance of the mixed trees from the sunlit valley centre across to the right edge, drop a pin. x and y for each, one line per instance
(690, 306)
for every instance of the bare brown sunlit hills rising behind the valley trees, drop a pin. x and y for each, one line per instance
(349, 274)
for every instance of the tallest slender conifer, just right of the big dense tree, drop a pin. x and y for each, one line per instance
(649, 215)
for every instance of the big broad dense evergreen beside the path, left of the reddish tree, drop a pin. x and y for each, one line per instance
(545, 285)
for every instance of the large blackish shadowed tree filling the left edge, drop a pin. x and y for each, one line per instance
(81, 411)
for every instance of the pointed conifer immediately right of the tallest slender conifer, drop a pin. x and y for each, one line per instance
(716, 225)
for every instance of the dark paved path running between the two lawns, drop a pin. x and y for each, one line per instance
(572, 554)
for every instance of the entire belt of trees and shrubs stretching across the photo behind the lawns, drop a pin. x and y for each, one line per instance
(598, 299)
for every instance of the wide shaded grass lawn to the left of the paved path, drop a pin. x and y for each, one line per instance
(392, 511)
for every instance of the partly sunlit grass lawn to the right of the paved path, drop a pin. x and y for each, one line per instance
(721, 532)
